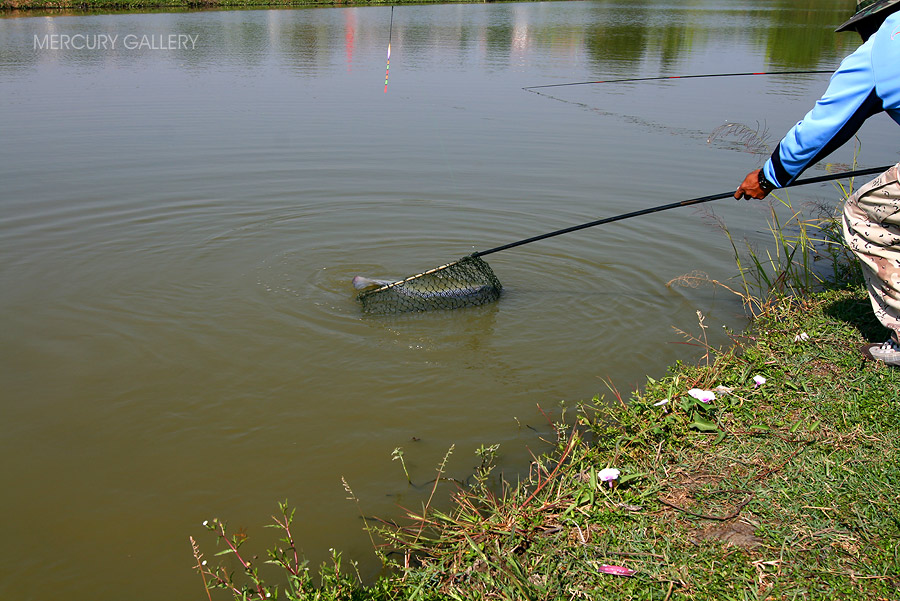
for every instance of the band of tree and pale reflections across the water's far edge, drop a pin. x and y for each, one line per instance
(793, 34)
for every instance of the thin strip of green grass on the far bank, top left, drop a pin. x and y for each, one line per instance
(107, 5)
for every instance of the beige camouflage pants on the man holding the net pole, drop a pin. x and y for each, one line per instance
(872, 229)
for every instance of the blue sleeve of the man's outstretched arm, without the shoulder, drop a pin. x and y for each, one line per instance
(850, 99)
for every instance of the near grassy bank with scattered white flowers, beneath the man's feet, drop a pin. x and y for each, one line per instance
(786, 488)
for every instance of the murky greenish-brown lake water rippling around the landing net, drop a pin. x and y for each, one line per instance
(180, 222)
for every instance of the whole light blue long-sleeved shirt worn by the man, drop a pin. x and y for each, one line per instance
(866, 83)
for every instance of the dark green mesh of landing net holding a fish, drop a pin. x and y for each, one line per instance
(467, 282)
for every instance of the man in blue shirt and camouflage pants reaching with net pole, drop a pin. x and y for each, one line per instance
(866, 83)
